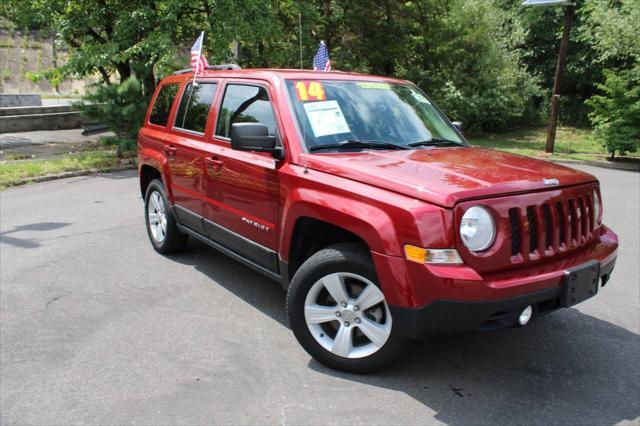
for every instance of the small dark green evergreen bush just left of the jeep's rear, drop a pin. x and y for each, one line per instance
(121, 107)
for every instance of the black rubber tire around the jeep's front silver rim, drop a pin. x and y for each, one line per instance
(339, 258)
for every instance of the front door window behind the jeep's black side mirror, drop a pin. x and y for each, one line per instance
(245, 104)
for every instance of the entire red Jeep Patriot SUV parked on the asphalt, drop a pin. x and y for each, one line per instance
(367, 204)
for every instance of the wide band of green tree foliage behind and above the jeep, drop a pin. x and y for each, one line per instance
(489, 63)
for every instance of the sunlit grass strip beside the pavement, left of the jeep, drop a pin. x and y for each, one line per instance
(13, 172)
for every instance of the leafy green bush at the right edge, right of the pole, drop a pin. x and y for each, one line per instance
(616, 112)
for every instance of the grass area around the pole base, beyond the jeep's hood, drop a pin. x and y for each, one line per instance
(571, 143)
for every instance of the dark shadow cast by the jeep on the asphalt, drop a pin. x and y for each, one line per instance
(567, 367)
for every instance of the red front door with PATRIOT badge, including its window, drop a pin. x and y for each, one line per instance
(241, 188)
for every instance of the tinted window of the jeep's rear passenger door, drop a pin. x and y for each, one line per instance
(194, 106)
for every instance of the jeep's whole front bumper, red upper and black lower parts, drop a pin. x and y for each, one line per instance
(427, 298)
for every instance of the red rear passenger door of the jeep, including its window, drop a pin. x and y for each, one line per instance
(185, 152)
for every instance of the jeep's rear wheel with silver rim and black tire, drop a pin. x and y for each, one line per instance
(163, 234)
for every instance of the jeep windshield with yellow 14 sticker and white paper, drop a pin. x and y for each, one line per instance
(333, 112)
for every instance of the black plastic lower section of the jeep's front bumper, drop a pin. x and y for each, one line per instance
(452, 316)
